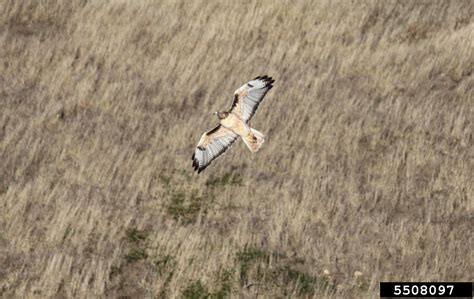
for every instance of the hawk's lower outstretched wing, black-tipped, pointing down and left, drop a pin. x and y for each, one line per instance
(211, 145)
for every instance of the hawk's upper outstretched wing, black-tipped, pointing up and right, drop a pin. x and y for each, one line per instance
(249, 96)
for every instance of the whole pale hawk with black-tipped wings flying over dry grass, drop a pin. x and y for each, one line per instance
(234, 124)
